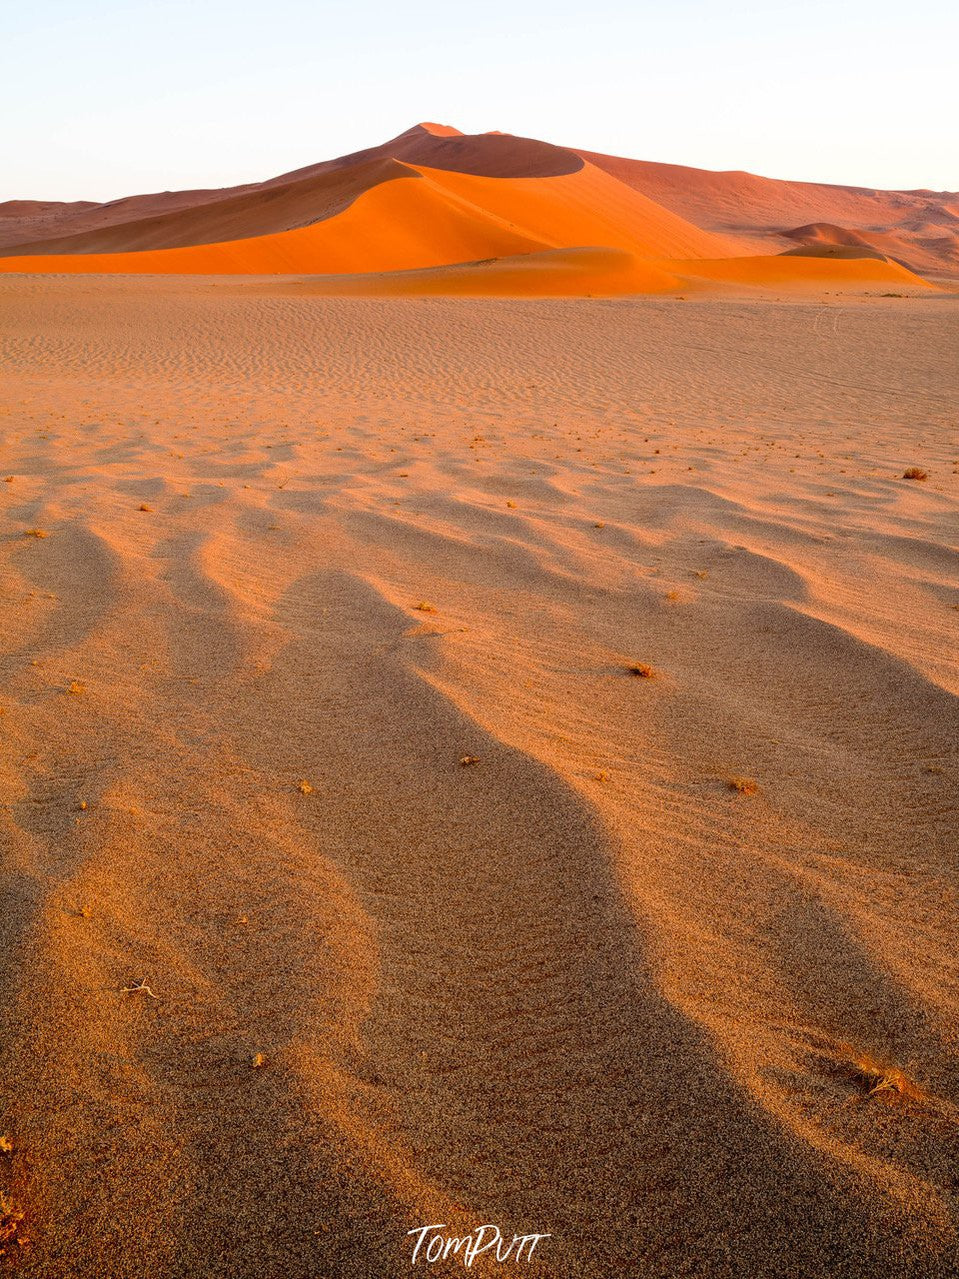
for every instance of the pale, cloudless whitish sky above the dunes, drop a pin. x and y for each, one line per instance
(109, 98)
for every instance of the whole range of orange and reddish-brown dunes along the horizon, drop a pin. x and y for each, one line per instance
(435, 199)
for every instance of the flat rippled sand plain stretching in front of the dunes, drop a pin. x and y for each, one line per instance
(669, 970)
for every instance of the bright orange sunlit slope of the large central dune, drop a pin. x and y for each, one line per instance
(432, 218)
